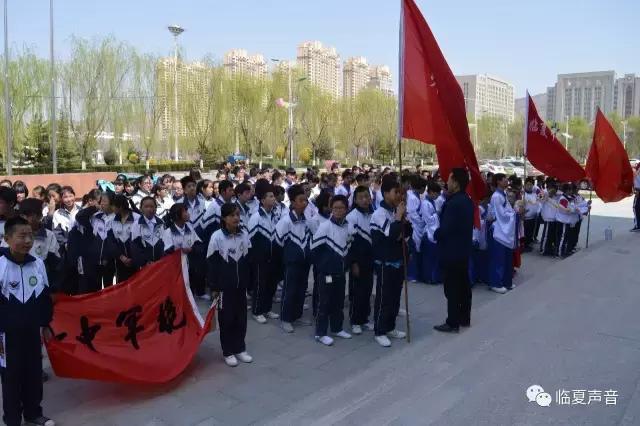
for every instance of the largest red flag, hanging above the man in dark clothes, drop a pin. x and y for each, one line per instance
(432, 108)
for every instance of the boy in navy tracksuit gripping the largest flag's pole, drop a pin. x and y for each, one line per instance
(387, 226)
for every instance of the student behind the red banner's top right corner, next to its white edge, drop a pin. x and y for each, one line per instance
(179, 235)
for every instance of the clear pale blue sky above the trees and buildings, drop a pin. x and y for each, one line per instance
(525, 42)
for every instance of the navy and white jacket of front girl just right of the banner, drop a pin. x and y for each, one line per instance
(228, 261)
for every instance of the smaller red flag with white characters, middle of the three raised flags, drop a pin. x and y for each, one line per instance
(545, 151)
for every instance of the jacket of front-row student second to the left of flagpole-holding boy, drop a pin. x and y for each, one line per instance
(330, 247)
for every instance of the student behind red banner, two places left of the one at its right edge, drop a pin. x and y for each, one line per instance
(119, 237)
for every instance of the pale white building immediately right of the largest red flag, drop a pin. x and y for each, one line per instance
(487, 95)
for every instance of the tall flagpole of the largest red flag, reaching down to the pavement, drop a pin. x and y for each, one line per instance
(405, 285)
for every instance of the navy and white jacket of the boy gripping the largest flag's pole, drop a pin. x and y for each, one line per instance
(386, 234)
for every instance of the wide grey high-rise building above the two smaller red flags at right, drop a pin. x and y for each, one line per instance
(581, 94)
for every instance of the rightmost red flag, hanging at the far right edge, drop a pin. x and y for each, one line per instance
(608, 164)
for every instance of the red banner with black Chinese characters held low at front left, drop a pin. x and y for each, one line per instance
(144, 330)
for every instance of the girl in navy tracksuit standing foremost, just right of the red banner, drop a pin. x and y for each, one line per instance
(228, 275)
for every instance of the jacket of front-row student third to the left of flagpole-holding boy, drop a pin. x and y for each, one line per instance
(294, 236)
